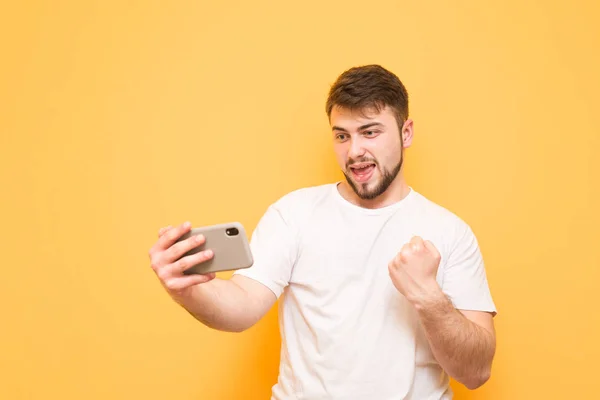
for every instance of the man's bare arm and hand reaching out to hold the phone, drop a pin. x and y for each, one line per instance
(228, 305)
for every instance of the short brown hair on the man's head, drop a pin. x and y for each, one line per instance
(369, 87)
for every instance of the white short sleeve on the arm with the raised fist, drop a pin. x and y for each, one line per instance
(465, 279)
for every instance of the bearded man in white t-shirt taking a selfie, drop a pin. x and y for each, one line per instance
(384, 293)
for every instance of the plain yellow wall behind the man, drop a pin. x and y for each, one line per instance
(118, 118)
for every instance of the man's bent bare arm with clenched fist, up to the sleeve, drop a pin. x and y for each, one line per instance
(464, 342)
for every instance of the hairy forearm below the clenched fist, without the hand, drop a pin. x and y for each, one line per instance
(464, 349)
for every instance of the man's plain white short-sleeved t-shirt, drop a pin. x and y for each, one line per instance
(347, 333)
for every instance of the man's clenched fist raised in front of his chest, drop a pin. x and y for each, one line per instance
(414, 269)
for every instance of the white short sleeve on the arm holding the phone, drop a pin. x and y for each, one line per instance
(273, 247)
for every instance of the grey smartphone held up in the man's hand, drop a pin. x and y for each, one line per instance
(229, 244)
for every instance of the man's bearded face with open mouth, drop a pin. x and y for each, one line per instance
(368, 147)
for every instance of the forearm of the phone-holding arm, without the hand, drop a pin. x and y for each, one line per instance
(220, 304)
